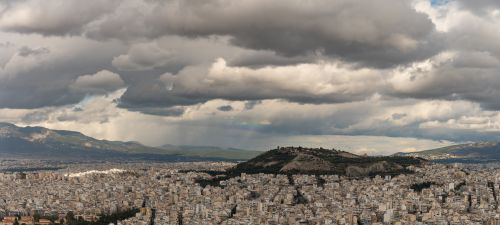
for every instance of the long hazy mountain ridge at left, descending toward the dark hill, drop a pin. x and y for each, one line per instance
(43, 143)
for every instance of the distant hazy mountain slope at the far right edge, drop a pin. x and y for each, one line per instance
(471, 152)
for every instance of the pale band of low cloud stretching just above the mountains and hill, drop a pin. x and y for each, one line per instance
(275, 122)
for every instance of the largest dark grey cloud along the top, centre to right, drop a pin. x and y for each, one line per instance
(333, 28)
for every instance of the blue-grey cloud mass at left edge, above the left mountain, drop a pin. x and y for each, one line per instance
(35, 77)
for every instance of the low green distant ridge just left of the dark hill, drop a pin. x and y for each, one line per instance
(210, 151)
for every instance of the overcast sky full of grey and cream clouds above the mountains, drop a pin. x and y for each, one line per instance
(373, 77)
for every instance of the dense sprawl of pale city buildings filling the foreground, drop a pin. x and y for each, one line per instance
(168, 193)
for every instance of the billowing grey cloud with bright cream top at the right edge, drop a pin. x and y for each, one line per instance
(452, 75)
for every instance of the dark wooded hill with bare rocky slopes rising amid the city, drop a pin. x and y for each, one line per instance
(292, 160)
